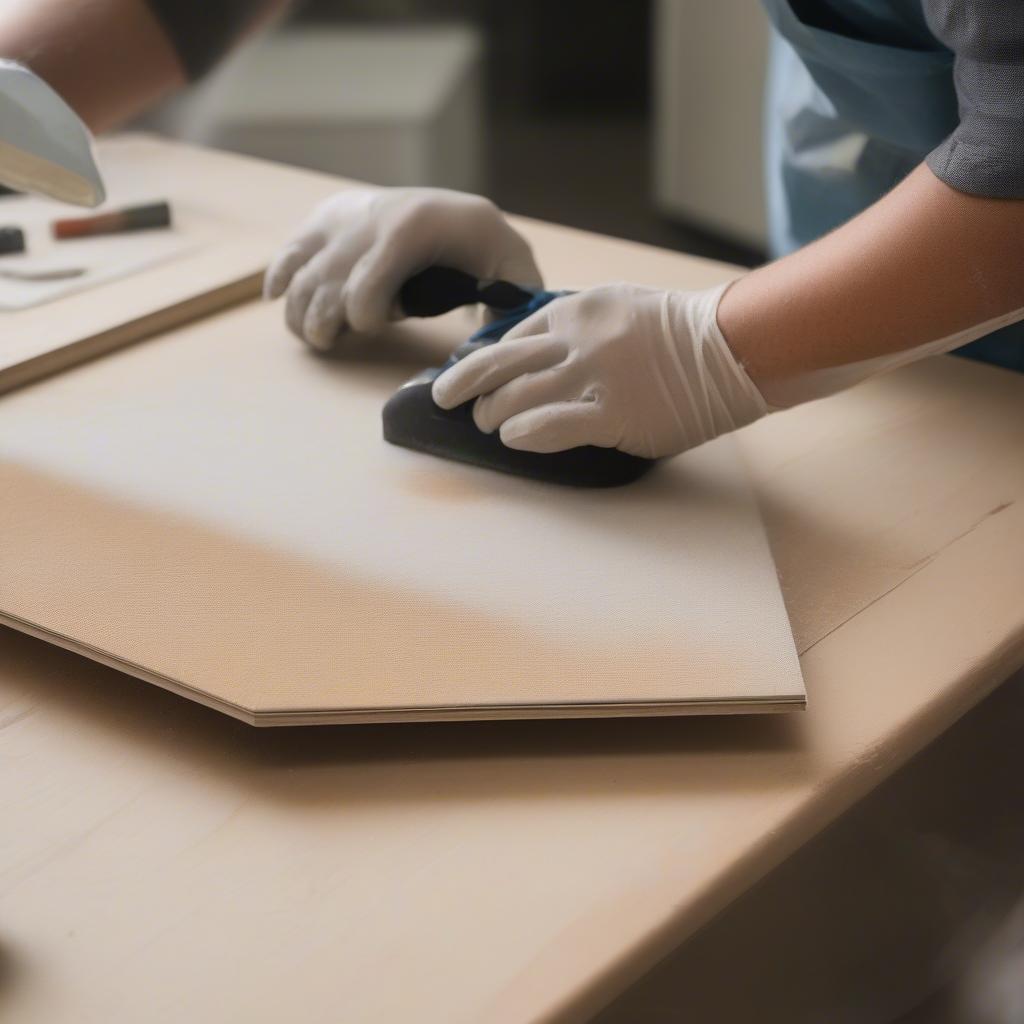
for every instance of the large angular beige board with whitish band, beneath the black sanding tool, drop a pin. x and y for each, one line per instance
(217, 511)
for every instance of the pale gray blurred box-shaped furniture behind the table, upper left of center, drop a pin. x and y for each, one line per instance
(395, 106)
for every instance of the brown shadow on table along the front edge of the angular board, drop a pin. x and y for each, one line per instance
(408, 762)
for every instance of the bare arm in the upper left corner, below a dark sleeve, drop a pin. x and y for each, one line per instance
(110, 60)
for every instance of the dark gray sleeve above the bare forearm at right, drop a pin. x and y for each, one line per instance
(986, 155)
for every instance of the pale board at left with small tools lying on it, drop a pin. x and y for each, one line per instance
(137, 285)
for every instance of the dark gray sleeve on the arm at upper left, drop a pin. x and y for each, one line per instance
(203, 31)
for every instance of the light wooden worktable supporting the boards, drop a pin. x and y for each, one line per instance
(161, 863)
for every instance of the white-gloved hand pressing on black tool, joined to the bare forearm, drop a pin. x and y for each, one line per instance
(638, 369)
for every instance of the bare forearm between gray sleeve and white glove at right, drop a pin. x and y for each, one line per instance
(922, 264)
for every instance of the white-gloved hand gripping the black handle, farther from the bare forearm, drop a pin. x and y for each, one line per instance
(346, 266)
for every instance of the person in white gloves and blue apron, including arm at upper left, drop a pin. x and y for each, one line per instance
(897, 184)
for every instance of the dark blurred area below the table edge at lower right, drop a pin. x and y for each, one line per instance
(893, 906)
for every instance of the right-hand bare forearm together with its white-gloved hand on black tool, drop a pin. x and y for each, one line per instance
(655, 372)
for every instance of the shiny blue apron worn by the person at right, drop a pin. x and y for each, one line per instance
(850, 116)
